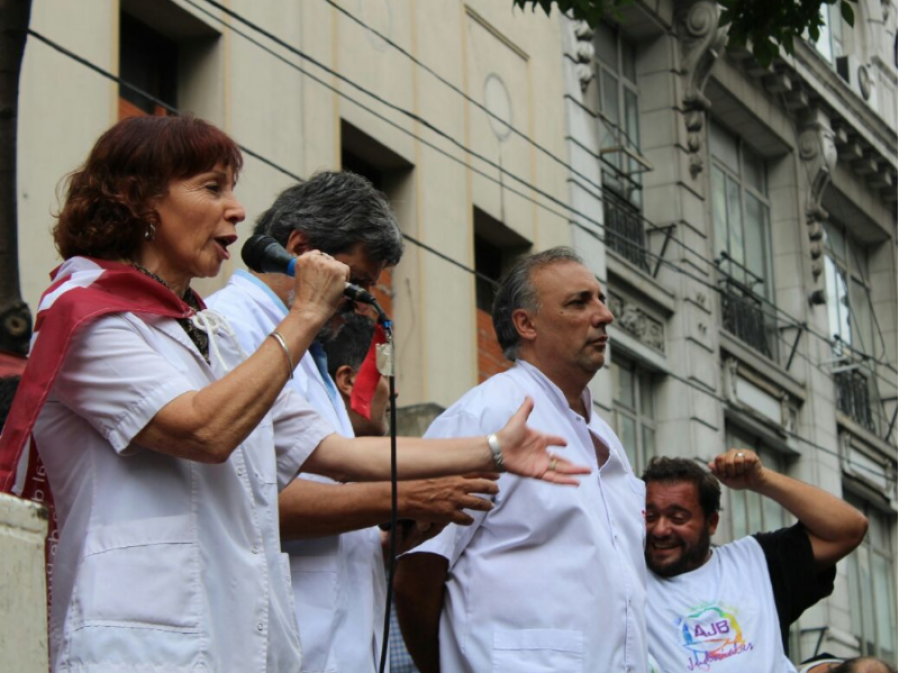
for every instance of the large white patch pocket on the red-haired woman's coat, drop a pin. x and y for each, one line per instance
(144, 573)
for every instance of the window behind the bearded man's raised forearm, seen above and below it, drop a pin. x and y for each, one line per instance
(750, 512)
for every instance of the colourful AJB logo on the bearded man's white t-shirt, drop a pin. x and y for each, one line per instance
(712, 634)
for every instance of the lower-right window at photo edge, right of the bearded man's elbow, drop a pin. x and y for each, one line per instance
(871, 587)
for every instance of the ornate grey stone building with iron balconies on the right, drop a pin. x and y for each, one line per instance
(748, 239)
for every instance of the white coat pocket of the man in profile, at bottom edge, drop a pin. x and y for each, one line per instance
(538, 651)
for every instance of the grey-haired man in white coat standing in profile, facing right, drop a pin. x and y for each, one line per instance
(550, 580)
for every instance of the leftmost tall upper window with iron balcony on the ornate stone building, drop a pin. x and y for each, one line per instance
(619, 104)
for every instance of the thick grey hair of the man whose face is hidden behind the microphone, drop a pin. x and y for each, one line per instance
(336, 211)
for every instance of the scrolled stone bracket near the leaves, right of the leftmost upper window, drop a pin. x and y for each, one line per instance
(702, 41)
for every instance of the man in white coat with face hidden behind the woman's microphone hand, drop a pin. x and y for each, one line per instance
(329, 529)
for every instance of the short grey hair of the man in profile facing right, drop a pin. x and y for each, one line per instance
(517, 291)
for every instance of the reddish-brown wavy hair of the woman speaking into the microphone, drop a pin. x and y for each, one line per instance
(109, 199)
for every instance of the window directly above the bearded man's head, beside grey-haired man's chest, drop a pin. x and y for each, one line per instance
(635, 417)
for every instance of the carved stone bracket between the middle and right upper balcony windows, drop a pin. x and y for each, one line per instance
(819, 156)
